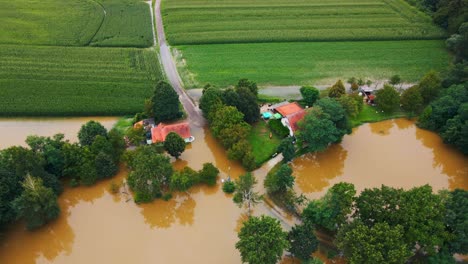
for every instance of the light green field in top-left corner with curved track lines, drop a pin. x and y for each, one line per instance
(119, 23)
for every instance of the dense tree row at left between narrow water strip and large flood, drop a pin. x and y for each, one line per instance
(30, 178)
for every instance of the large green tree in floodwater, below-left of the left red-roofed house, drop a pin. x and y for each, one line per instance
(149, 173)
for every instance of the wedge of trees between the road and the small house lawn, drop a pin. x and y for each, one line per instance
(230, 113)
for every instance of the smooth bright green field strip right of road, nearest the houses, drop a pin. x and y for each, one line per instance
(301, 63)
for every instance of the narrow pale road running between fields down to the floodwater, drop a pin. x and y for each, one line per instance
(195, 116)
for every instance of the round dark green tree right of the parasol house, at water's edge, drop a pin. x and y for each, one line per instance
(317, 130)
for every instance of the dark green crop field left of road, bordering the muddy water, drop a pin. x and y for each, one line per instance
(66, 81)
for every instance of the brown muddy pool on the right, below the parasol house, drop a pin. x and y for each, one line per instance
(395, 153)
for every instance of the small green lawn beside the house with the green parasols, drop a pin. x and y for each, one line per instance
(262, 146)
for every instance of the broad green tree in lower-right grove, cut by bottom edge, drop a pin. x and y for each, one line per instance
(380, 243)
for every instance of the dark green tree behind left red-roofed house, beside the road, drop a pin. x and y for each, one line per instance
(165, 103)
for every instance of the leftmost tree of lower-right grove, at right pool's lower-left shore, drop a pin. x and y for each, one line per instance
(331, 211)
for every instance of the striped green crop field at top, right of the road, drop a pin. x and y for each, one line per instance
(246, 21)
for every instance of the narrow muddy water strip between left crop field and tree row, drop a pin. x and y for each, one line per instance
(14, 131)
